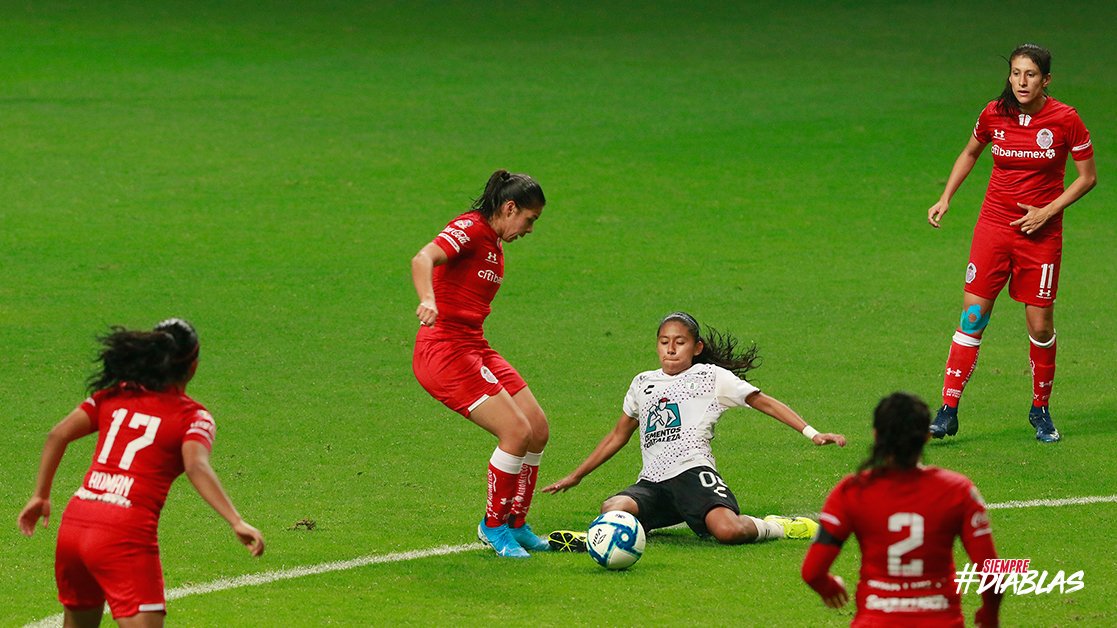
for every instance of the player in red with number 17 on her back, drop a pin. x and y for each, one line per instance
(149, 432)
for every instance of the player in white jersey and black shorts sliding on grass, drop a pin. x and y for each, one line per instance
(675, 408)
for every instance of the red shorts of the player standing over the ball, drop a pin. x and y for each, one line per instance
(462, 375)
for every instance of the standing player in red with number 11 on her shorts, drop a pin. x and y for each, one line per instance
(1018, 240)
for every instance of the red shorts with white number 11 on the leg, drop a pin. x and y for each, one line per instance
(1029, 264)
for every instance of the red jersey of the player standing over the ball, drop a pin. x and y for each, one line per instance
(466, 286)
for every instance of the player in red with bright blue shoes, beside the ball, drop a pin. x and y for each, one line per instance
(456, 278)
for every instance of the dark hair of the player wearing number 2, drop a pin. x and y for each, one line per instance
(903, 423)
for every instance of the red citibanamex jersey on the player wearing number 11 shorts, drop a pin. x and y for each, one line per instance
(1030, 159)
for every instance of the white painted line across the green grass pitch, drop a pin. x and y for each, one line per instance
(268, 577)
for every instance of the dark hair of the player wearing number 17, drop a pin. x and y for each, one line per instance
(154, 360)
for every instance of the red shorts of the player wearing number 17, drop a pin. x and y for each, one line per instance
(98, 565)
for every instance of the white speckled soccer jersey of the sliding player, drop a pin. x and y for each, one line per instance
(677, 415)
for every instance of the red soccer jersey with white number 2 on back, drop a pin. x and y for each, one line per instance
(905, 524)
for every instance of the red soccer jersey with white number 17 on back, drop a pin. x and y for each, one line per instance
(139, 455)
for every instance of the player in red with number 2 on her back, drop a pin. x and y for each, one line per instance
(905, 518)
